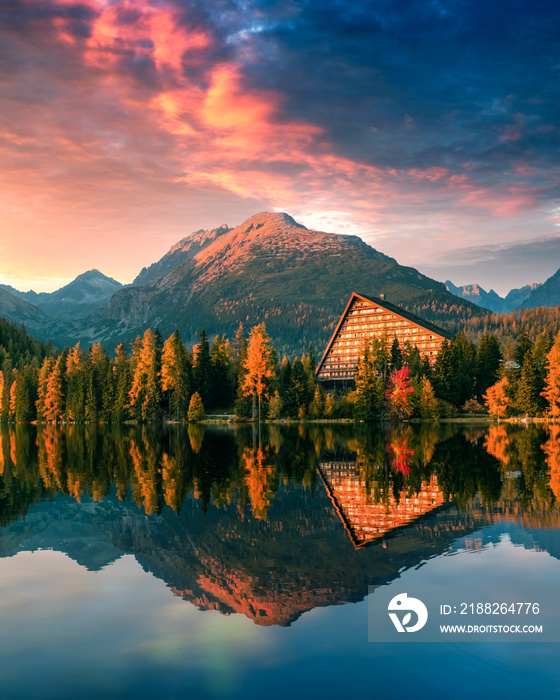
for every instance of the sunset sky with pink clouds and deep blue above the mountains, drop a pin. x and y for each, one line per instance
(428, 128)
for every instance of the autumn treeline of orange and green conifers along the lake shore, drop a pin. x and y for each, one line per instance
(159, 379)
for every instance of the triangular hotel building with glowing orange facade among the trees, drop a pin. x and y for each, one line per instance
(367, 318)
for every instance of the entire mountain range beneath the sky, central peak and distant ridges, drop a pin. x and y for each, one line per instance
(270, 268)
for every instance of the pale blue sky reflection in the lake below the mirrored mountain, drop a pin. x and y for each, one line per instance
(119, 633)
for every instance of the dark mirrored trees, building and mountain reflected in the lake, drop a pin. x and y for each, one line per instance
(274, 522)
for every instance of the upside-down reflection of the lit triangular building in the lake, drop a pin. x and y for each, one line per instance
(365, 521)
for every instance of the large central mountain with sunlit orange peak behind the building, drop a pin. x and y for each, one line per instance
(271, 269)
